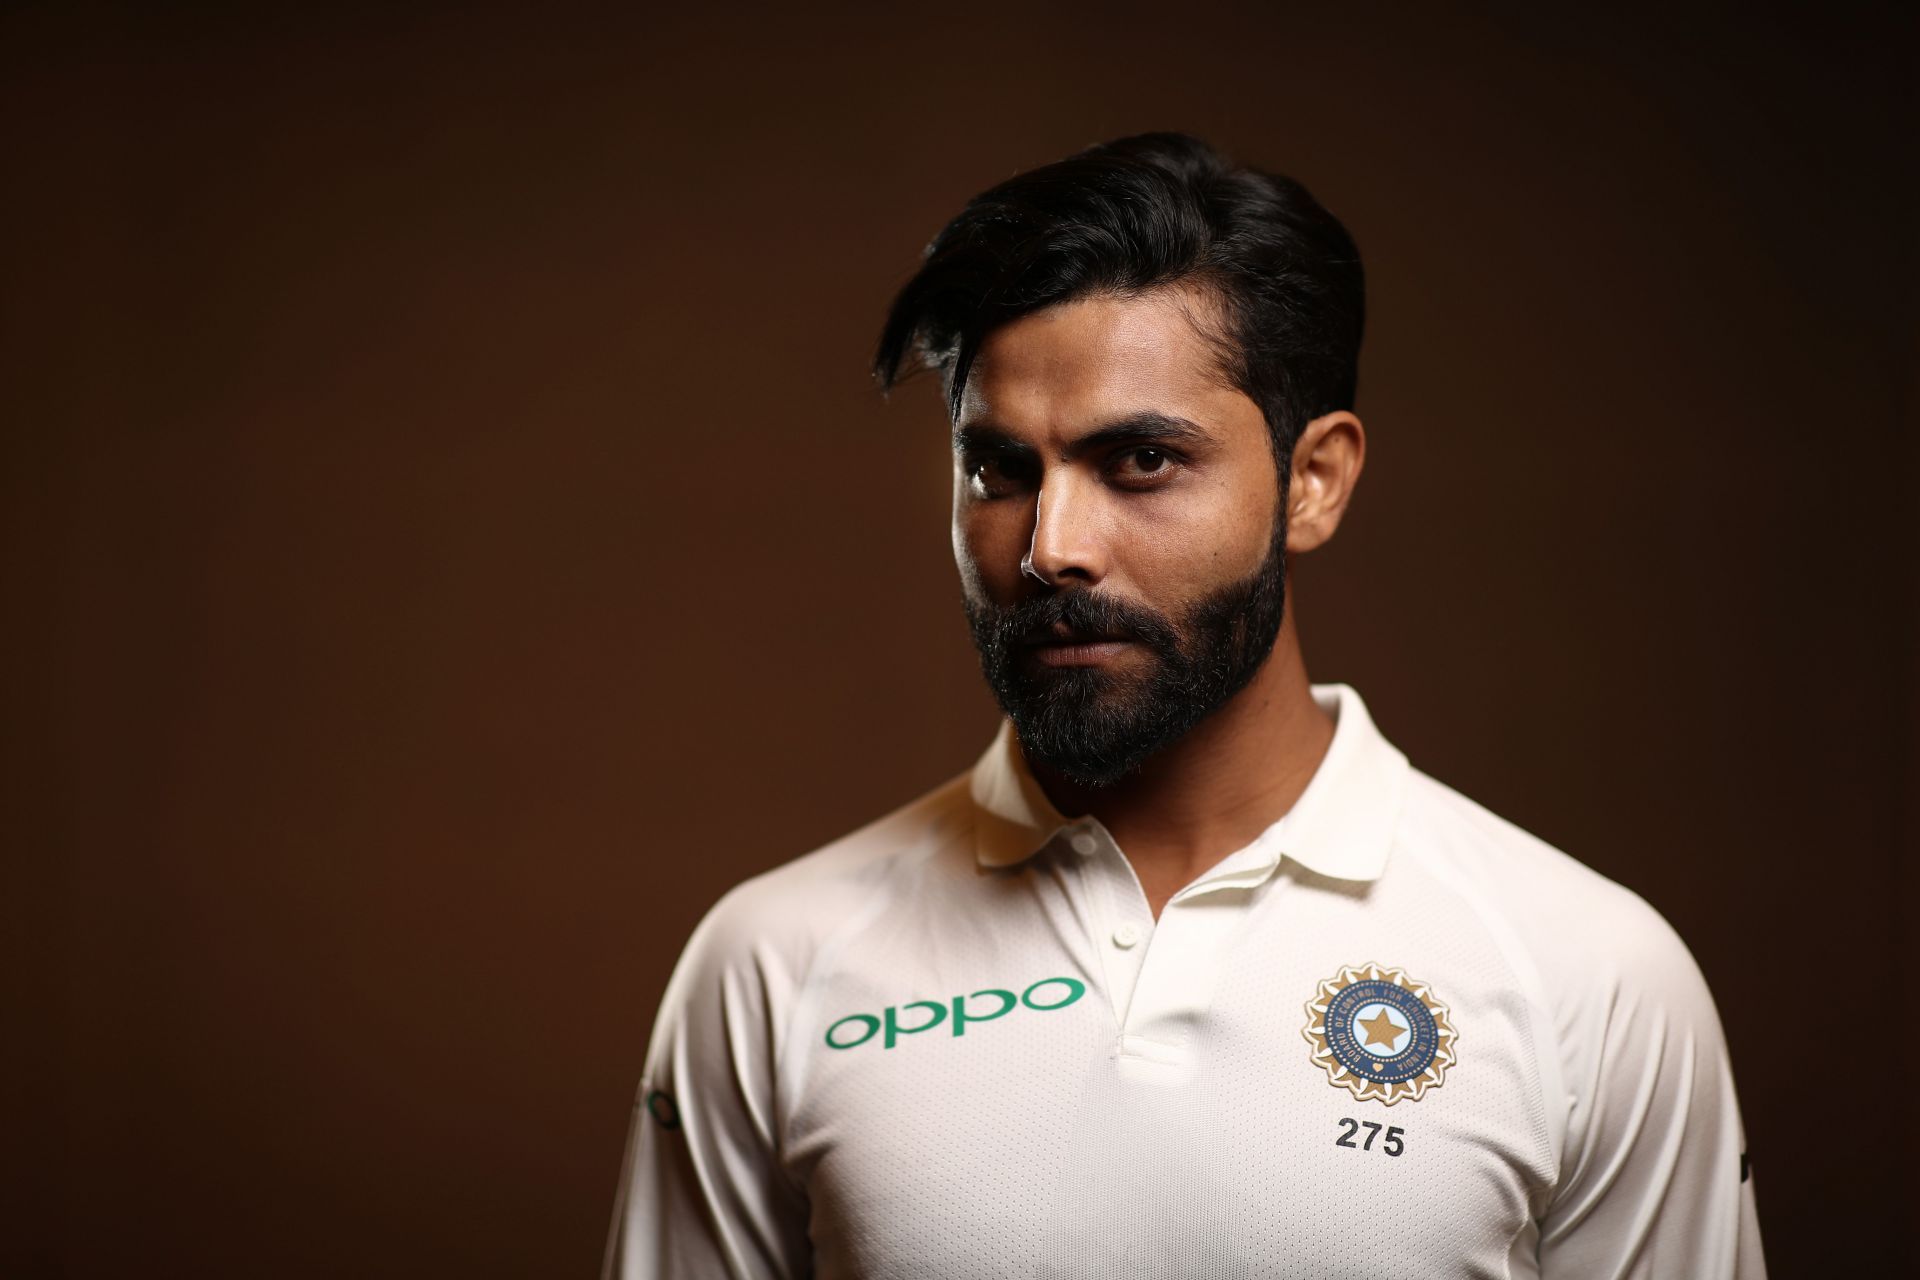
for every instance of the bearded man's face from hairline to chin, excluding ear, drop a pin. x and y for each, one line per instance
(1113, 490)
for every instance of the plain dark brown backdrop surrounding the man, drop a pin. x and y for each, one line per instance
(450, 538)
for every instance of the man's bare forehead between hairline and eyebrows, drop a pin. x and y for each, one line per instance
(1103, 358)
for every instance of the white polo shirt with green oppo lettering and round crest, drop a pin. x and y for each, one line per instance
(1393, 1037)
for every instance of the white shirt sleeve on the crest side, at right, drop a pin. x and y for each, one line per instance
(1656, 1179)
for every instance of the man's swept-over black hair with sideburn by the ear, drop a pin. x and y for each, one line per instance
(1134, 216)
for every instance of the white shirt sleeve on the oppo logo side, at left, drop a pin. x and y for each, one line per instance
(702, 1187)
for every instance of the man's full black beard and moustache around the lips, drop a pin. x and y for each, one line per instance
(1097, 728)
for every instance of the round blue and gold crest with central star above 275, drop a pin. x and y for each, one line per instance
(1380, 1033)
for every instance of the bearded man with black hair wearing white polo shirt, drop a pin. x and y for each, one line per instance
(1191, 974)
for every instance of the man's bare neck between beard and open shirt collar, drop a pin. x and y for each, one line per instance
(1220, 786)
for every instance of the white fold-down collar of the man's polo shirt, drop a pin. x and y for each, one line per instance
(1341, 826)
